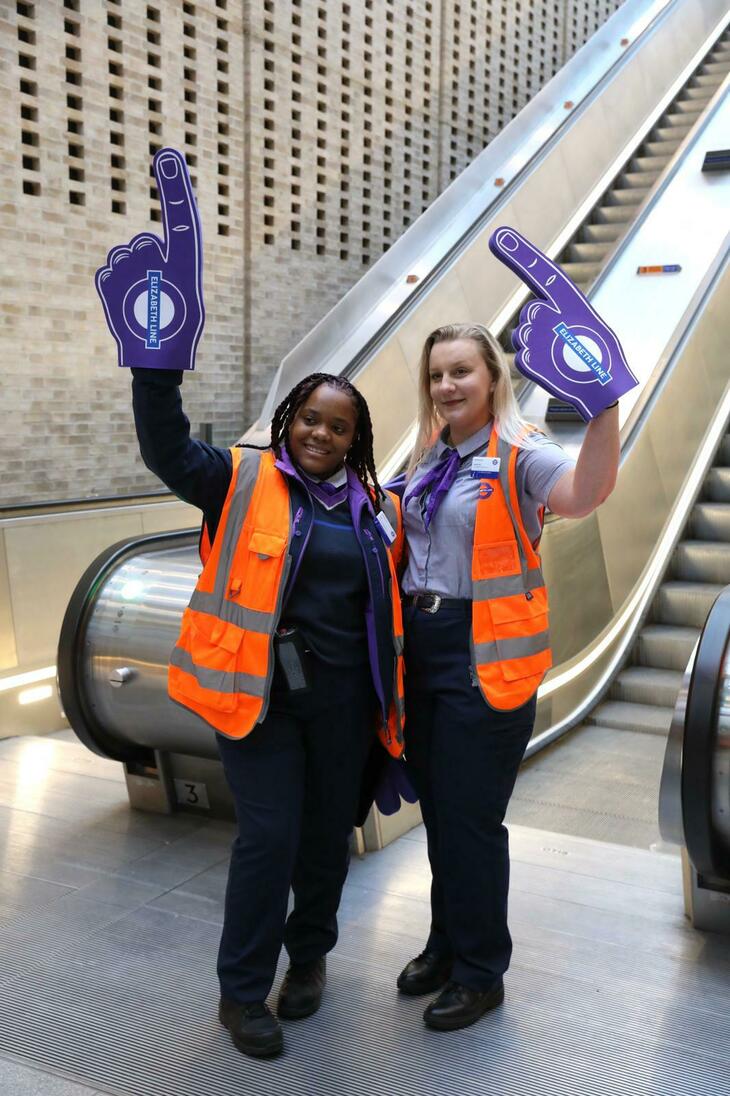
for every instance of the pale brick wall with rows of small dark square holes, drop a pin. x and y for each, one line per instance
(316, 132)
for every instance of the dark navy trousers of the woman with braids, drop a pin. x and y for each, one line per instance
(295, 780)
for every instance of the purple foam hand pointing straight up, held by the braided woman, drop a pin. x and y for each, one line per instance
(153, 290)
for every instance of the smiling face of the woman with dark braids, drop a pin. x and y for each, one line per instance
(323, 431)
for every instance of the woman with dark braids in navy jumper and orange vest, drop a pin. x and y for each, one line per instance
(291, 649)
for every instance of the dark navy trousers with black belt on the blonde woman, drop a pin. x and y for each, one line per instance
(464, 759)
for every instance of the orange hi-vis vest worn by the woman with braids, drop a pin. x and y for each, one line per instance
(223, 664)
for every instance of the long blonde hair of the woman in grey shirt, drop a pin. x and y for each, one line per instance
(510, 424)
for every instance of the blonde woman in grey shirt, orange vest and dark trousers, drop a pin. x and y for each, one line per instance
(477, 647)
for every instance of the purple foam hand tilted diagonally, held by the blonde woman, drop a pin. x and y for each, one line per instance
(562, 341)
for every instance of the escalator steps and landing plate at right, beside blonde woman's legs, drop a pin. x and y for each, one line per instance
(602, 781)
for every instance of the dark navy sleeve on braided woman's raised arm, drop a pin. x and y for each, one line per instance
(197, 473)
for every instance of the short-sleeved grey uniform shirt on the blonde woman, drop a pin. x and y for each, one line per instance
(440, 557)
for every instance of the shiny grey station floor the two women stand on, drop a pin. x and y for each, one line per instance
(109, 928)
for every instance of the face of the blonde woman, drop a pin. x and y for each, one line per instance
(461, 387)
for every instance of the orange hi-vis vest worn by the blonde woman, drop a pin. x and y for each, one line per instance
(511, 644)
